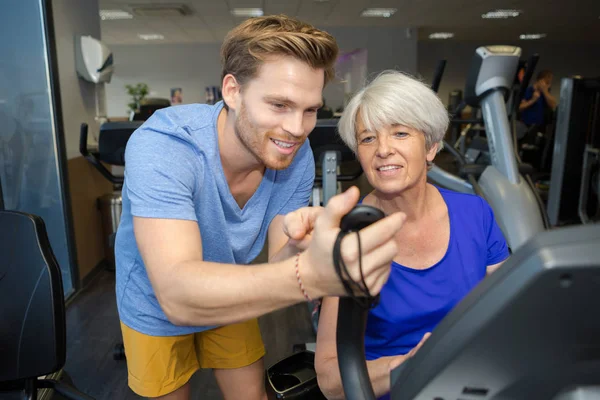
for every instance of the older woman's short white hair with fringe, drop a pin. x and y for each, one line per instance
(394, 97)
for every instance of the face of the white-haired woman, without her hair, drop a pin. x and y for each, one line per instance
(394, 158)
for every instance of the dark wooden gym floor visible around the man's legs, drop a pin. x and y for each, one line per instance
(93, 330)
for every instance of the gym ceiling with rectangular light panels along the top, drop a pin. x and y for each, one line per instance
(561, 20)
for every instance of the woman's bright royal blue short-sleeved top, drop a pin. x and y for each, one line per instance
(413, 302)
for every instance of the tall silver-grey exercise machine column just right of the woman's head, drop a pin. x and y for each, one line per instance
(518, 209)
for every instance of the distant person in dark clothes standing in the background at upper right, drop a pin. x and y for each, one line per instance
(538, 101)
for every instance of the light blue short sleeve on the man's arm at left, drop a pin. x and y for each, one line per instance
(161, 173)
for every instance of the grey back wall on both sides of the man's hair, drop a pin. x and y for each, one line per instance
(195, 66)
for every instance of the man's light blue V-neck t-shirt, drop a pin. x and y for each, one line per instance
(173, 170)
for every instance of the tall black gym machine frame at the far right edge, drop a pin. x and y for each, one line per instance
(573, 196)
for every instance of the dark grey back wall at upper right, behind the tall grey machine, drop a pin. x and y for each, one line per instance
(564, 59)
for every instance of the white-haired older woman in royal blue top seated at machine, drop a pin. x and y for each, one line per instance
(448, 244)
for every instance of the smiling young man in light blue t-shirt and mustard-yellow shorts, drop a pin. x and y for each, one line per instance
(203, 187)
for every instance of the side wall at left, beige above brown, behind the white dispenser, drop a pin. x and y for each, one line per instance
(71, 18)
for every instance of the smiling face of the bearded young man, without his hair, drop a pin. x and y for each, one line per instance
(277, 109)
